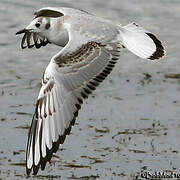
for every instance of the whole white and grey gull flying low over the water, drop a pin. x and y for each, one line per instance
(90, 48)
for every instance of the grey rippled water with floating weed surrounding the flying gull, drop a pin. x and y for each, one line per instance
(129, 125)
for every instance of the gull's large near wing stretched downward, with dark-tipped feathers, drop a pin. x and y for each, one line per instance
(69, 78)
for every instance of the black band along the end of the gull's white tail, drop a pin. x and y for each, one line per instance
(160, 50)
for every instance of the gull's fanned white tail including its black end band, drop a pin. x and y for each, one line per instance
(141, 42)
